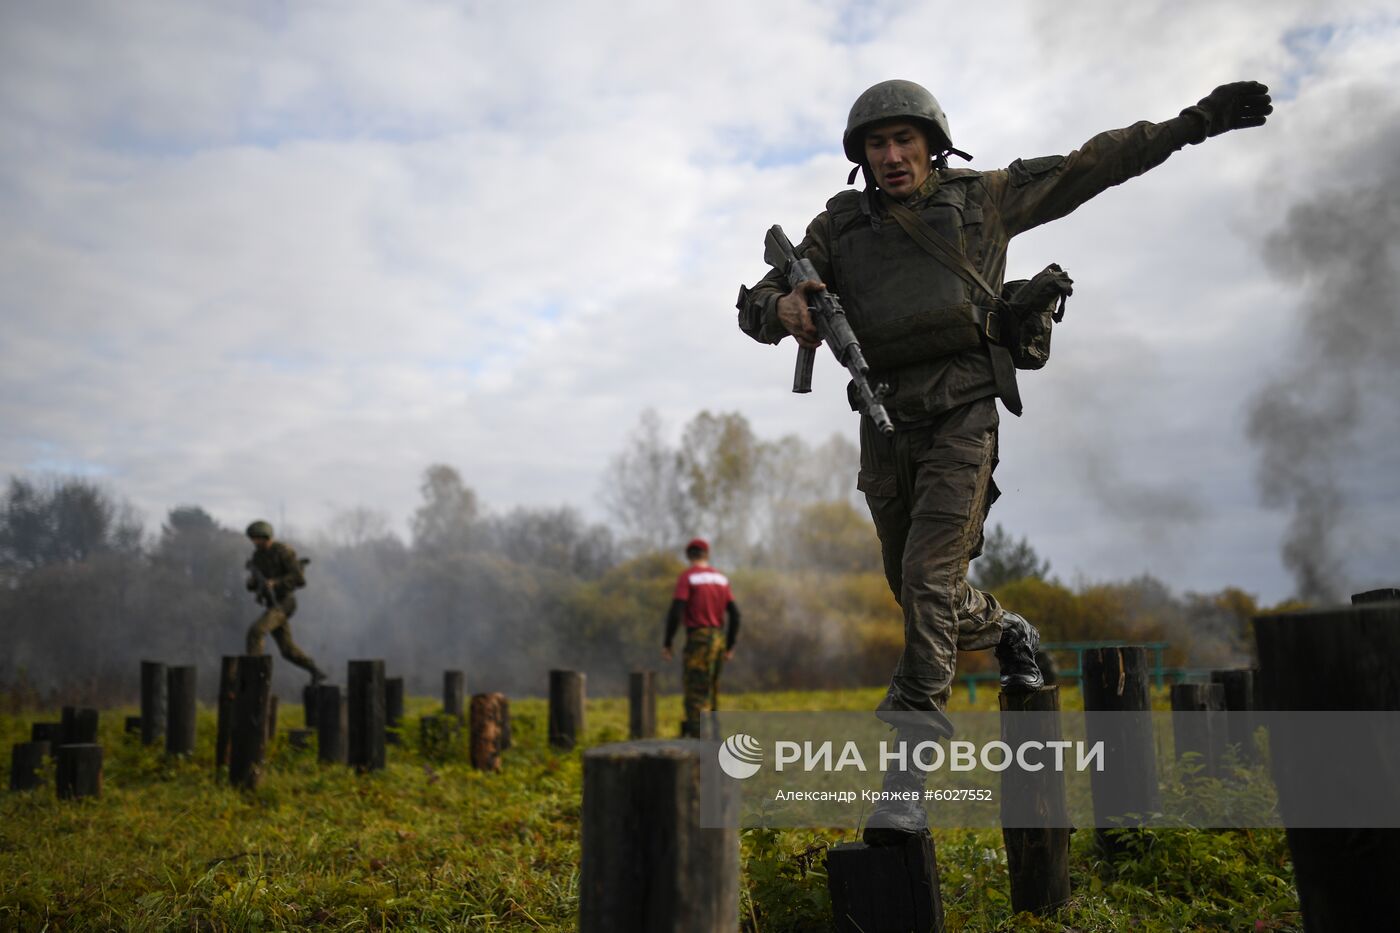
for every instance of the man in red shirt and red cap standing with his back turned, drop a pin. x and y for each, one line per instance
(702, 600)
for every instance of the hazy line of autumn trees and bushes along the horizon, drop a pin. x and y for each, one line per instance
(87, 592)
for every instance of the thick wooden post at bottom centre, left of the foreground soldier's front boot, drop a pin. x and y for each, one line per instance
(647, 864)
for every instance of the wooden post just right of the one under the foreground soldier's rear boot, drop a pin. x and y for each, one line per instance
(1115, 682)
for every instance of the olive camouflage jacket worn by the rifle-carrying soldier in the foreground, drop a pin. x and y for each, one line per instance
(1010, 201)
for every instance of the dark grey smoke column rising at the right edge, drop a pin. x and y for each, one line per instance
(1339, 249)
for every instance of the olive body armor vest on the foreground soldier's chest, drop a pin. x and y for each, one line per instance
(905, 306)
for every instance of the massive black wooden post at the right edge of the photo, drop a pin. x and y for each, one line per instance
(1335, 661)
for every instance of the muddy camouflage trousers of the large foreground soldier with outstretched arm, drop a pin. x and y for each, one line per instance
(929, 491)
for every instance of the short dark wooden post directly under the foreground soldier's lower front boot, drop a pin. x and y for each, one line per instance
(885, 887)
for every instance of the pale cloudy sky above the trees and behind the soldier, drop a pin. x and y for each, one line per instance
(276, 258)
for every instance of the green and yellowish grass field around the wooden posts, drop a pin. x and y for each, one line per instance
(437, 847)
